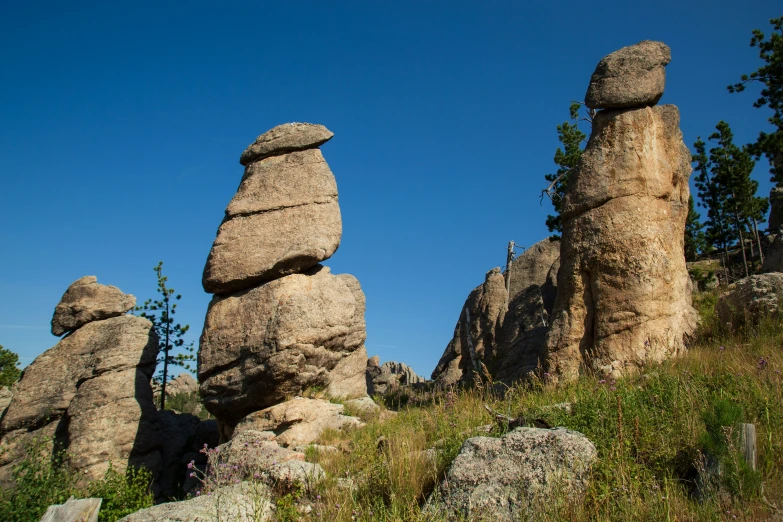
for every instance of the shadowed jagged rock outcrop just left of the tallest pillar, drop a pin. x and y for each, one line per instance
(507, 331)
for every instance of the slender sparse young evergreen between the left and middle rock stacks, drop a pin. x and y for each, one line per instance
(170, 335)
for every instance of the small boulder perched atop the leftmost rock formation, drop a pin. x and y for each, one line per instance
(86, 300)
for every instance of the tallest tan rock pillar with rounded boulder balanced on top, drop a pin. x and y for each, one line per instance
(623, 289)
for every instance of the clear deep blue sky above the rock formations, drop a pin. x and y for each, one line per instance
(122, 125)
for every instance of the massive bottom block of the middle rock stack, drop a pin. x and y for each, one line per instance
(274, 341)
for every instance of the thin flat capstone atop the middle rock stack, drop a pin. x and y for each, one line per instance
(287, 137)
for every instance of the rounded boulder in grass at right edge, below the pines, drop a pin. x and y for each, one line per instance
(750, 299)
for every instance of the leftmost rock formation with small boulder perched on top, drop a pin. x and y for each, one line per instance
(90, 394)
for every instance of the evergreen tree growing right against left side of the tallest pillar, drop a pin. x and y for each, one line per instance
(566, 158)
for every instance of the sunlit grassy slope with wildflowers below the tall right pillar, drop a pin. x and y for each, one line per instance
(650, 431)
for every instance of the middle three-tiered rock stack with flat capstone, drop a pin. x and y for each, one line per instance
(280, 322)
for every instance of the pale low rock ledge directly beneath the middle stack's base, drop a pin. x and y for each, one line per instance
(297, 421)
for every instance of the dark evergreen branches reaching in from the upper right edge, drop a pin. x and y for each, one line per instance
(770, 75)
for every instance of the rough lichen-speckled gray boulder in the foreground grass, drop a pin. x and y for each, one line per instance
(513, 477)
